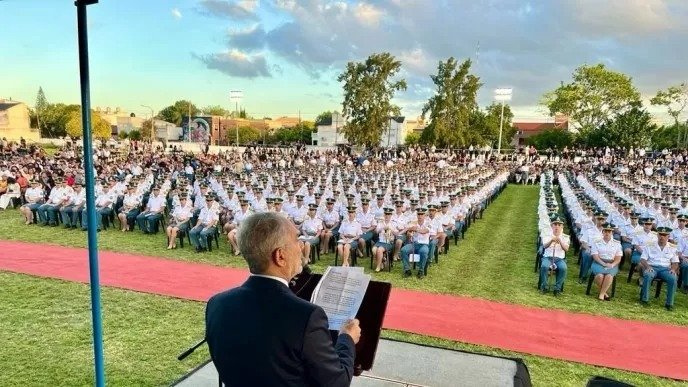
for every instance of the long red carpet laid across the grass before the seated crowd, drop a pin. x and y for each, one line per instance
(631, 345)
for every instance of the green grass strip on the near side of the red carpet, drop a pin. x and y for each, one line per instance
(46, 330)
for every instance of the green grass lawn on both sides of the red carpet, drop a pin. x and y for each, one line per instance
(494, 262)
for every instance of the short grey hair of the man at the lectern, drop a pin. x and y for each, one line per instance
(259, 235)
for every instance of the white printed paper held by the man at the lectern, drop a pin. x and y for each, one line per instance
(340, 293)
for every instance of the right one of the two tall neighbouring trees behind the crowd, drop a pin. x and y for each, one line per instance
(452, 105)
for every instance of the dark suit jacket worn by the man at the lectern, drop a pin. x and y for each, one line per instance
(261, 334)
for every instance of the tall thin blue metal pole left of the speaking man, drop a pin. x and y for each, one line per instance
(90, 192)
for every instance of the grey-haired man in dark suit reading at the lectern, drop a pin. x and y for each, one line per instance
(261, 334)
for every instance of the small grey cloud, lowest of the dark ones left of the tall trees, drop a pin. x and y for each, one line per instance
(236, 63)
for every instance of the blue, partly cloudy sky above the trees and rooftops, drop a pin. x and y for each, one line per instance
(285, 55)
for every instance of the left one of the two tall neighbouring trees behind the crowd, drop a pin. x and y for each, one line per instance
(368, 91)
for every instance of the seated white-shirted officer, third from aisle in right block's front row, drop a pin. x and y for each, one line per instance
(660, 260)
